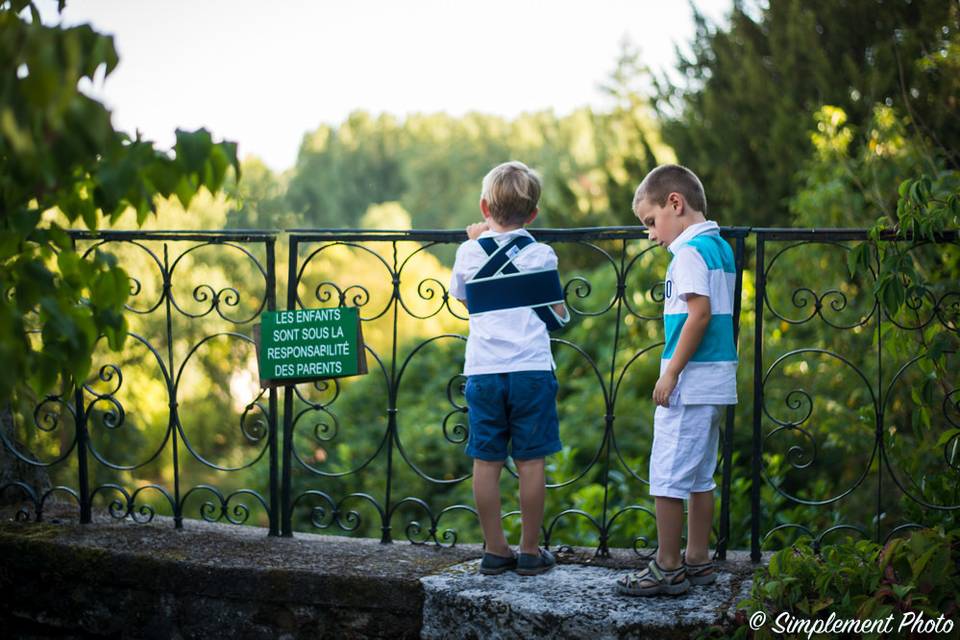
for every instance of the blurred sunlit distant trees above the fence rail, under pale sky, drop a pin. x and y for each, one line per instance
(433, 164)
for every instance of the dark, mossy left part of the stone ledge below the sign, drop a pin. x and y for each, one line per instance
(212, 580)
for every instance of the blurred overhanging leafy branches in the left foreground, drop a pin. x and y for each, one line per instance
(59, 151)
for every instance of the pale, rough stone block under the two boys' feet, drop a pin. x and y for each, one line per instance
(569, 602)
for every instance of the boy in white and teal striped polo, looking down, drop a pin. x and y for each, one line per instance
(697, 377)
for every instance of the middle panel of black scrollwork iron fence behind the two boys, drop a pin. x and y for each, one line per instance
(607, 461)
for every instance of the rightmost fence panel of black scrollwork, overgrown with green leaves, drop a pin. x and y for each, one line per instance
(848, 395)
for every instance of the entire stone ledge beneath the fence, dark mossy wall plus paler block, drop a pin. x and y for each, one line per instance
(127, 580)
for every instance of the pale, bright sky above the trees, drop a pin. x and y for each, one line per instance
(264, 73)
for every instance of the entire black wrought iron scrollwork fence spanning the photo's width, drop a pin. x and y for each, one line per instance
(384, 451)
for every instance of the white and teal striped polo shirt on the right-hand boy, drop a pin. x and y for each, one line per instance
(702, 264)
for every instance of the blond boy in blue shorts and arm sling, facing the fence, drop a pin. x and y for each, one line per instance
(511, 388)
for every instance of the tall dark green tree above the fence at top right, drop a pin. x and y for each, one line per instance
(742, 120)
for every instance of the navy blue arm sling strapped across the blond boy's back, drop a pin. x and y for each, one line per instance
(499, 285)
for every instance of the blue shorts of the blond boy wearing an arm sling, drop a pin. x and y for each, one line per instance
(517, 408)
